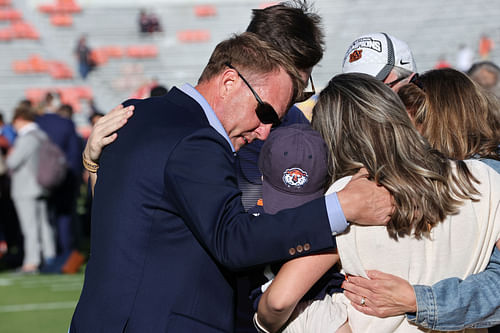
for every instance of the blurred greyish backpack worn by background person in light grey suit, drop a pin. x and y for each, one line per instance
(52, 166)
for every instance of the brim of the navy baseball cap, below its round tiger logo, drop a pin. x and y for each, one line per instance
(275, 200)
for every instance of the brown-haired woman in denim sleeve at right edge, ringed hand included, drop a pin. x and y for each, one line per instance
(462, 120)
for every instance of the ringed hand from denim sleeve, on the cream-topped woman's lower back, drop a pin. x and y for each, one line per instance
(385, 295)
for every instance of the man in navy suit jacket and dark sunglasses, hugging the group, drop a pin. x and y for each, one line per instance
(168, 226)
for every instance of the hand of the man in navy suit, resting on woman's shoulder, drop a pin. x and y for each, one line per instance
(364, 202)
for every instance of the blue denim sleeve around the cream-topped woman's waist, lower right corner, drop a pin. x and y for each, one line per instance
(455, 304)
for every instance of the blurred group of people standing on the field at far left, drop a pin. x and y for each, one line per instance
(42, 222)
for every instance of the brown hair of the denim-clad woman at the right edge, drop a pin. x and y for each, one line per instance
(456, 115)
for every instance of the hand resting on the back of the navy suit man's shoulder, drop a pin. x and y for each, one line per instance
(104, 131)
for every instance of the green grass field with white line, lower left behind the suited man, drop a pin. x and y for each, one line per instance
(38, 303)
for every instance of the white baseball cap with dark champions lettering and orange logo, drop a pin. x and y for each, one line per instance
(376, 54)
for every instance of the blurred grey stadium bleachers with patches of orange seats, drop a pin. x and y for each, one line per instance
(190, 32)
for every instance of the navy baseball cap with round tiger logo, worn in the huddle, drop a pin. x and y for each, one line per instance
(294, 166)
